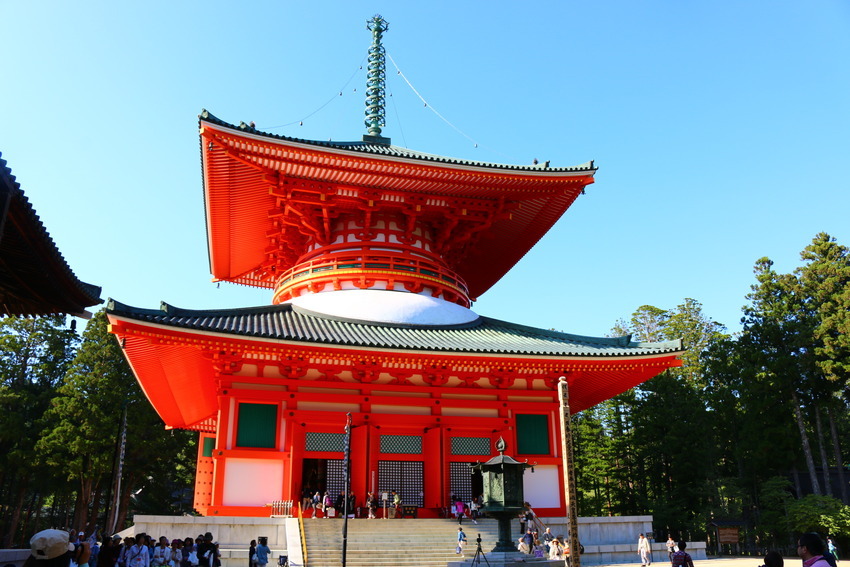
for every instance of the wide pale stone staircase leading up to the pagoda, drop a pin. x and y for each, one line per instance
(394, 542)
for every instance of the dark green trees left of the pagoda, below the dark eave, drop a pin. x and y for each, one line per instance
(64, 400)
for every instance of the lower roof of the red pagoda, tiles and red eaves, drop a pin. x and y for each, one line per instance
(181, 354)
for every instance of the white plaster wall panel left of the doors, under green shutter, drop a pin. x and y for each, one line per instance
(252, 482)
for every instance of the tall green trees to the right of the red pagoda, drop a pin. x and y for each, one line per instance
(747, 426)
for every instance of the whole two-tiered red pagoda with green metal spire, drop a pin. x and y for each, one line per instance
(373, 254)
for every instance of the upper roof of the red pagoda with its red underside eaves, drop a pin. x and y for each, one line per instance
(248, 173)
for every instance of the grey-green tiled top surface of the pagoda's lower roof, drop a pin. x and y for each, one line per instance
(483, 336)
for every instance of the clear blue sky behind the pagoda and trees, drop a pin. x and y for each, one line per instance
(721, 132)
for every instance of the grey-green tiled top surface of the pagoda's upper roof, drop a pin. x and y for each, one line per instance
(399, 152)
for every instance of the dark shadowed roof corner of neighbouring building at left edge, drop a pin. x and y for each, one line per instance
(35, 279)
